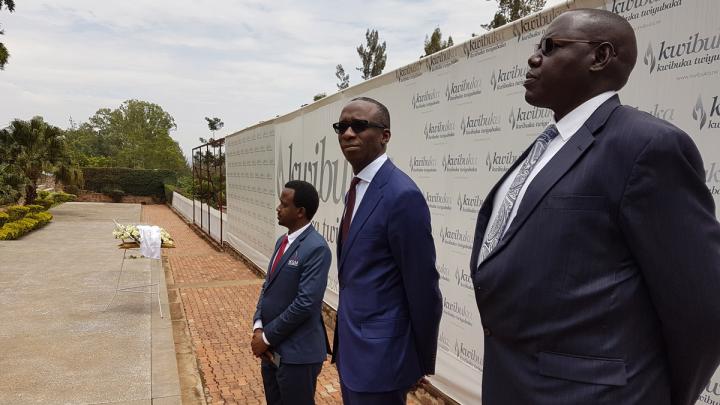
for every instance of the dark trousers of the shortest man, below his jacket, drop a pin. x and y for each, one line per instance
(290, 384)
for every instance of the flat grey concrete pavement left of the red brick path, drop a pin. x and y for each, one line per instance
(58, 344)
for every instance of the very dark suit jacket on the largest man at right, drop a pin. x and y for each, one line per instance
(604, 289)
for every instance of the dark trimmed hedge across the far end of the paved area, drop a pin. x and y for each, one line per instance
(140, 182)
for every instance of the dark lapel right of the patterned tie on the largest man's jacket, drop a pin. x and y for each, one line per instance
(556, 168)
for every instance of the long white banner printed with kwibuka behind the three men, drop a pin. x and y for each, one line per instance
(459, 120)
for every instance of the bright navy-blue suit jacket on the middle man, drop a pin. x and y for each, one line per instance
(390, 302)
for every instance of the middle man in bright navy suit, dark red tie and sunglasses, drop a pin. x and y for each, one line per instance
(390, 303)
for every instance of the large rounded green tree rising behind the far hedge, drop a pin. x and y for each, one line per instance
(135, 135)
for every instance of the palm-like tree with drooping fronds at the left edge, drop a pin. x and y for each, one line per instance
(32, 147)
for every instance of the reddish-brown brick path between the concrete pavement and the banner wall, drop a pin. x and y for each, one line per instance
(219, 294)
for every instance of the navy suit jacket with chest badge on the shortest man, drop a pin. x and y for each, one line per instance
(290, 303)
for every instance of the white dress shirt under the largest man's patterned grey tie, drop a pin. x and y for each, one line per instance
(567, 126)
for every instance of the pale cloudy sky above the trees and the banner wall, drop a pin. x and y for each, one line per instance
(243, 61)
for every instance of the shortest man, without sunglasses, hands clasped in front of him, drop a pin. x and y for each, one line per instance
(289, 334)
